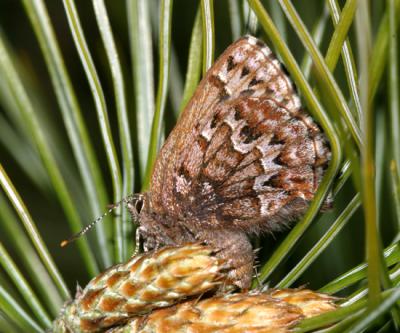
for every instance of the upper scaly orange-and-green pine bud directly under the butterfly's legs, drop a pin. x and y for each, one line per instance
(146, 282)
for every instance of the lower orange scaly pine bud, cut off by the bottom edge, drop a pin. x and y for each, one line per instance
(235, 313)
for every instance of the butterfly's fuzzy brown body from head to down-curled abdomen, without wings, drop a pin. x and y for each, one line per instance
(157, 230)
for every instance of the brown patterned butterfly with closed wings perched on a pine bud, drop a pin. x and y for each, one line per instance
(243, 159)
